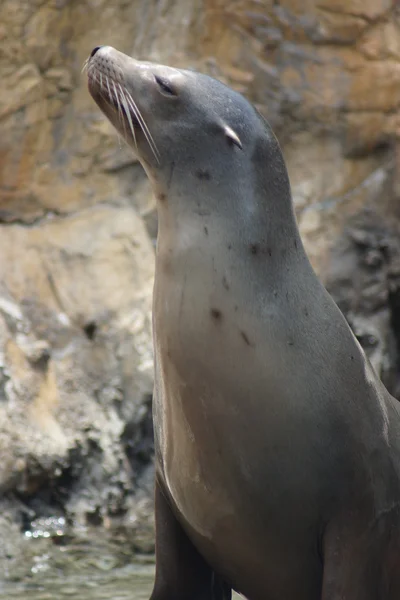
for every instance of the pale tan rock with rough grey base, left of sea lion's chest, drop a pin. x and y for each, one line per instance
(75, 314)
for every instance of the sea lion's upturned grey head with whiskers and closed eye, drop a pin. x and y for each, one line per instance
(181, 121)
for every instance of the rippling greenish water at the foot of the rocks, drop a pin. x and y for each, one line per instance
(93, 566)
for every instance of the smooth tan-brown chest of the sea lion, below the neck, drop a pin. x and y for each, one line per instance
(223, 420)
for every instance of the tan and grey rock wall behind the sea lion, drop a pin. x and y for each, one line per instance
(77, 216)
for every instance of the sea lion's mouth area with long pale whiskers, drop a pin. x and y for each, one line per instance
(108, 92)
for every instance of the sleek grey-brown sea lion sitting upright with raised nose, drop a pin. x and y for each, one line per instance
(277, 447)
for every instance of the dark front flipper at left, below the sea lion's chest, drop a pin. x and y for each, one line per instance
(181, 572)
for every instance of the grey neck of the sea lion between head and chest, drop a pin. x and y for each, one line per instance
(203, 197)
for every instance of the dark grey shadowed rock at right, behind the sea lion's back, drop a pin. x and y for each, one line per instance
(364, 280)
